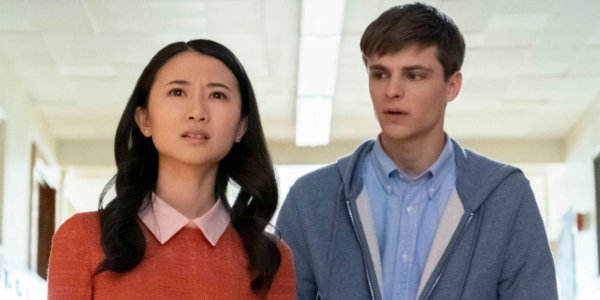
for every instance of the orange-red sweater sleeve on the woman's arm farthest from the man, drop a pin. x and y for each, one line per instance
(70, 270)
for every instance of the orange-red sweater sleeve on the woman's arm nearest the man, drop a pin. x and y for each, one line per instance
(284, 283)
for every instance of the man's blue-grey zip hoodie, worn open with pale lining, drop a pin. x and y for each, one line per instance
(491, 242)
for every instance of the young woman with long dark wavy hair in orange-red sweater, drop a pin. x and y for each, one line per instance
(190, 126)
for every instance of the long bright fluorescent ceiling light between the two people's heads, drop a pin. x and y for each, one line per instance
(321, 30)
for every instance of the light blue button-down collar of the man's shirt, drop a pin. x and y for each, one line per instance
(385, 167)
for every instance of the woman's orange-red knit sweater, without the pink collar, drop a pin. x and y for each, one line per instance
(186, 267)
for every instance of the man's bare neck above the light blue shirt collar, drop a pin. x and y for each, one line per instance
(413, 157)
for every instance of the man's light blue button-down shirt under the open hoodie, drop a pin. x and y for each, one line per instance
(406, 212)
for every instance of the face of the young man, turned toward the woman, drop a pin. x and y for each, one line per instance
(410, 94)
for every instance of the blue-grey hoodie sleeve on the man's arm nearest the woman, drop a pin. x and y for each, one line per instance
(290, 224)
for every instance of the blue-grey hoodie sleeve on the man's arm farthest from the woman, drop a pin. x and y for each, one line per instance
(528, 270)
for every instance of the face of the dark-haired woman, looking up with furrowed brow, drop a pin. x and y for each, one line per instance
(194, 111)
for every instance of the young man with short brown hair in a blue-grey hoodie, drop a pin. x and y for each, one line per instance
(412, 215)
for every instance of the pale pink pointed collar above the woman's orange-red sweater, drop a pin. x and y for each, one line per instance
(164, 221)
